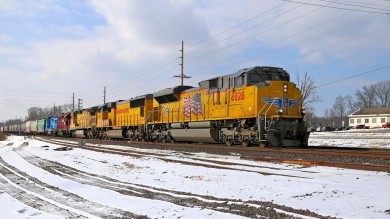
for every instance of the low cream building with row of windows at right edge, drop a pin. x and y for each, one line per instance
(372, 117)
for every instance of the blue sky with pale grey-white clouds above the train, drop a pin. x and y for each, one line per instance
(50, 49)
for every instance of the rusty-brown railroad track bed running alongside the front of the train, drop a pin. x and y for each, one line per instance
(349, 158)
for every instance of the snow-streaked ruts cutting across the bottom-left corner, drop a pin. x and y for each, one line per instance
(47, 198)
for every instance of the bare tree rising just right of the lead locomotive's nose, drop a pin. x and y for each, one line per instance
(308, 90)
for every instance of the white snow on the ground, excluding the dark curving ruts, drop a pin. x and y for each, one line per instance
(341, 193)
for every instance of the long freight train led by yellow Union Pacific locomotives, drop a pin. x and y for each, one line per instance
(253, 106)
